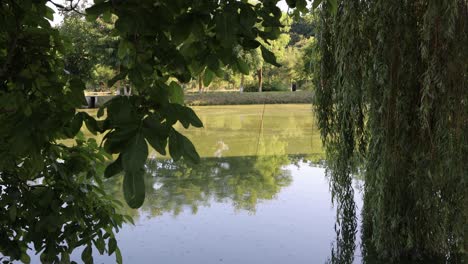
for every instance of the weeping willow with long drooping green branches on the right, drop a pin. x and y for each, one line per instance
(392, 104)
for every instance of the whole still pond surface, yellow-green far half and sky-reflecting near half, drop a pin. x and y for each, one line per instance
(259, 195)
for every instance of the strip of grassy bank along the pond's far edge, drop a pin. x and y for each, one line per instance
(236, 98)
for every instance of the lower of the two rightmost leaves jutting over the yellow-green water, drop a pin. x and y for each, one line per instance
(181, 146)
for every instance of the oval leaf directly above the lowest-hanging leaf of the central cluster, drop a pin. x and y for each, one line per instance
(135, 154)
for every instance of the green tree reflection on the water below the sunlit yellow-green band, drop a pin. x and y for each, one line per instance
(244, 182)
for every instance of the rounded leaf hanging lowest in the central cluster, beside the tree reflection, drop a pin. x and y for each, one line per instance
(134, 188)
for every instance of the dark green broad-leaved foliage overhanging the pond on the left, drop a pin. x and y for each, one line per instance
(172, 39)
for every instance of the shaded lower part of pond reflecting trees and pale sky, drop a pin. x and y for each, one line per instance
(258, 209)
